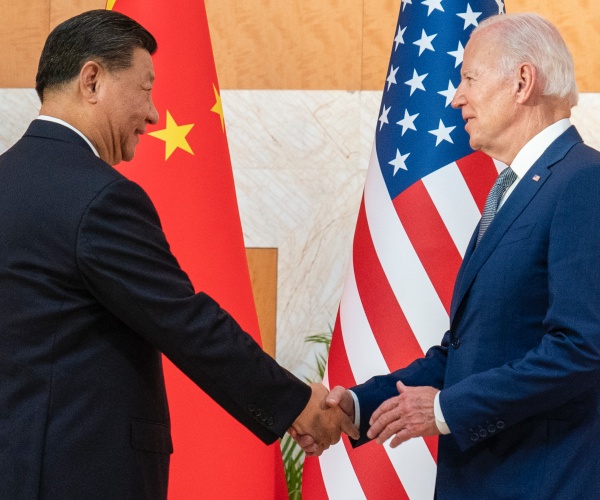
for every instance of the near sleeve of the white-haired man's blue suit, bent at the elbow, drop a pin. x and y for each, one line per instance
(566, 362)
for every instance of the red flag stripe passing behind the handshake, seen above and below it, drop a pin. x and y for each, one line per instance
(371, 464)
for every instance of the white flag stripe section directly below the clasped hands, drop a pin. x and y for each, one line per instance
(338, 474)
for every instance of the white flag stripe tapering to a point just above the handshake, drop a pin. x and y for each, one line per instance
(362, 349)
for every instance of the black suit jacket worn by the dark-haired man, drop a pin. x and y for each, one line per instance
(90, 295)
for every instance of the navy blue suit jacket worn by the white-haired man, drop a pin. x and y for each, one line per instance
(519, 367)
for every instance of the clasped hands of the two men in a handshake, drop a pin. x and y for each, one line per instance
(323, 420)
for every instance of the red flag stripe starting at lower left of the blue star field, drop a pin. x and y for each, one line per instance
(430, 239)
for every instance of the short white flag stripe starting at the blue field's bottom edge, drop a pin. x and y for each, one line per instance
(455, 204)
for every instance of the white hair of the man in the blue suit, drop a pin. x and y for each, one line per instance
(529, 38)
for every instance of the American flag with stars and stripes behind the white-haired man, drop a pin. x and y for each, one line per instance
(424, 194)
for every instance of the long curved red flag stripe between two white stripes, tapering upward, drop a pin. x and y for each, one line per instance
(390, 328)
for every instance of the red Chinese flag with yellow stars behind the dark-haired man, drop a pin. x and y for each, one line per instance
(184, 166)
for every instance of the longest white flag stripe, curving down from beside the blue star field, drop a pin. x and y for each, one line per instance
(414, 291)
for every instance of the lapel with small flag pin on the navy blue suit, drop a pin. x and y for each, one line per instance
(527, 188)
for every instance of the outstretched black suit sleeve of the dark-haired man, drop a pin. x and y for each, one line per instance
(126, 264)
